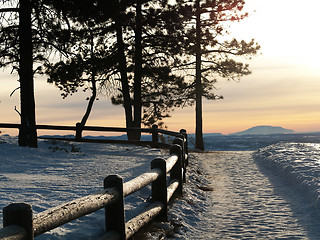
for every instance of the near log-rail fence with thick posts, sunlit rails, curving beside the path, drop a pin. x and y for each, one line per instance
(166, 178)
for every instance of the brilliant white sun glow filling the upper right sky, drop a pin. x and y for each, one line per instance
(283, 28)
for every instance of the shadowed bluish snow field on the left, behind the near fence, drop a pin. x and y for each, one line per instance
(58, 172)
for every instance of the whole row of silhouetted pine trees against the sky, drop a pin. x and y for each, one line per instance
(150, 56)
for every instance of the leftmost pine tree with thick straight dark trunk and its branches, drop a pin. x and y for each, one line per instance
(26, 30)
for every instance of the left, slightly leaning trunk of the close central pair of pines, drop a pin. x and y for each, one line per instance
(123, 72)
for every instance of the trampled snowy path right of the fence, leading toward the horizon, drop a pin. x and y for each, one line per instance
(248, 202)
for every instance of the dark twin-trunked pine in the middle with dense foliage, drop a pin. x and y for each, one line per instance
(142, 36)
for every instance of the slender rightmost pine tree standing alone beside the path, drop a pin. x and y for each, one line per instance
(213, 53)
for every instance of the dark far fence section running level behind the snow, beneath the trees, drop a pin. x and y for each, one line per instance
(155, 131)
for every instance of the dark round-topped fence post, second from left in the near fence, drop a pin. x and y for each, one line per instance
(114, 213)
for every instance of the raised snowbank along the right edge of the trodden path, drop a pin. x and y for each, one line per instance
(298, 163)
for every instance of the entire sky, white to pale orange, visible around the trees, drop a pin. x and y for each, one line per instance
(283, 89)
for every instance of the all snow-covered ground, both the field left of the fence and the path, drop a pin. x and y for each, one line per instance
(228, 195)
